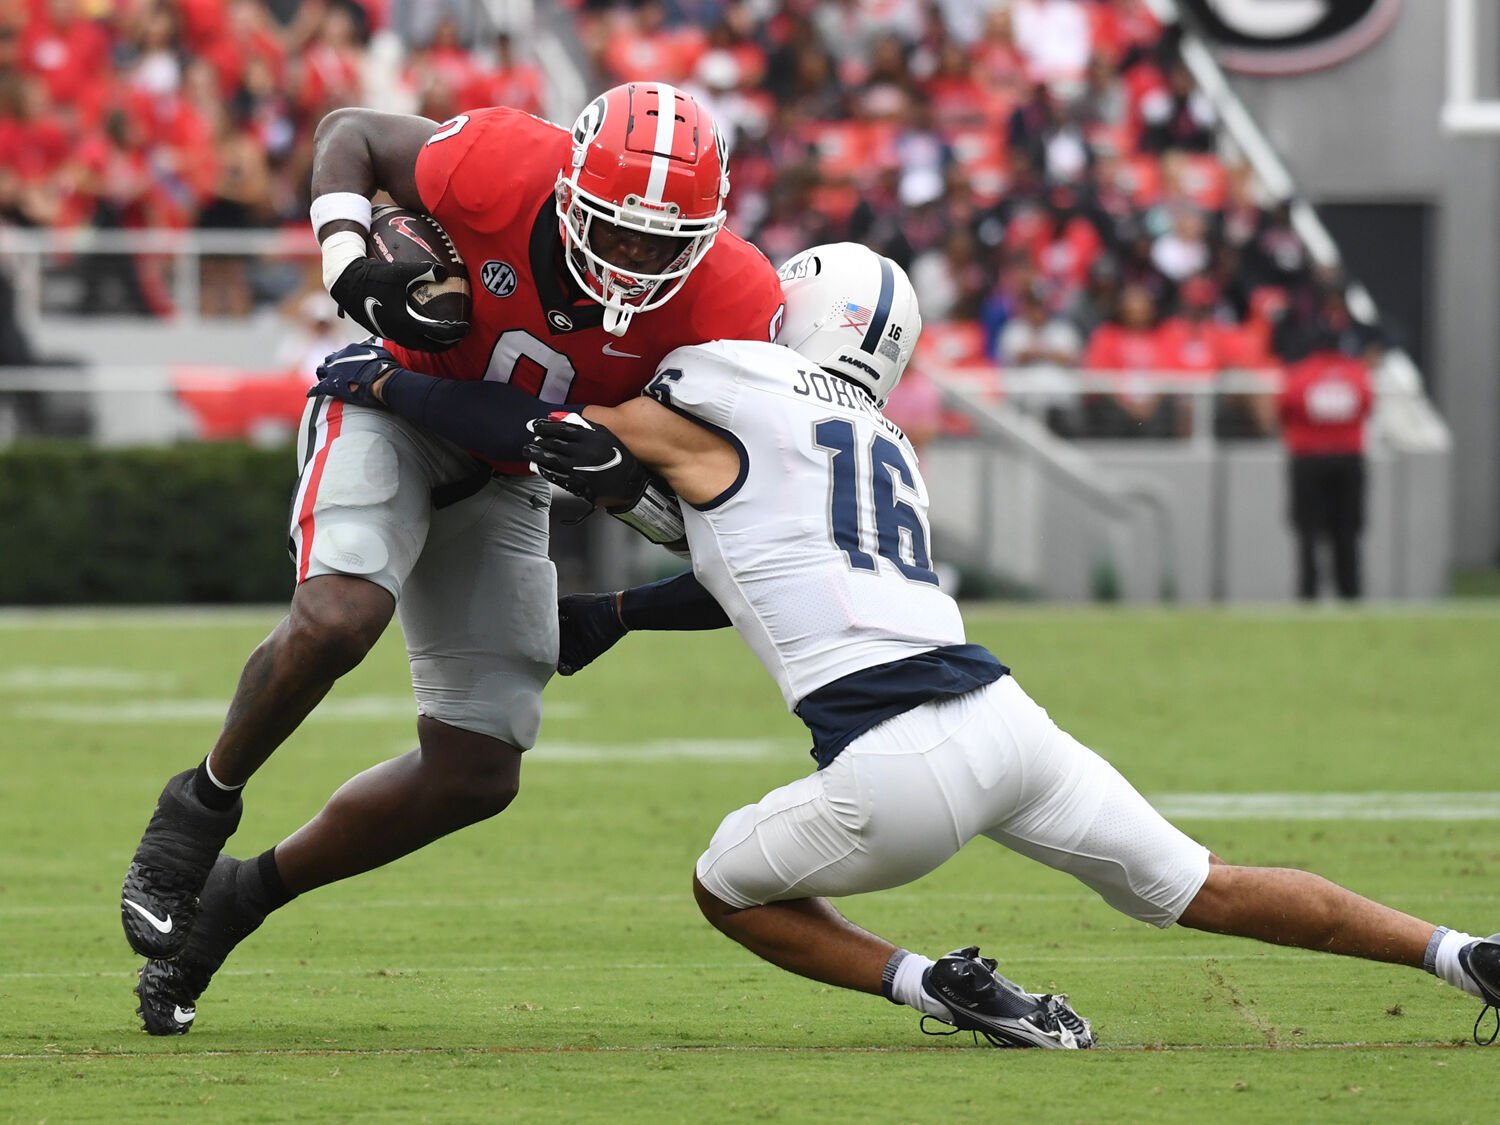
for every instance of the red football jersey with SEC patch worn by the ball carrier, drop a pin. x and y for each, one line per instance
(488, 176)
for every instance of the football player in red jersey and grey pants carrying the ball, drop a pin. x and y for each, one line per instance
(593, 253)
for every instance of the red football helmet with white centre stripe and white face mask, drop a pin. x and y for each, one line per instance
(647, 161)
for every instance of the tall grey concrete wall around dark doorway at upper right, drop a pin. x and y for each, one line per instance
(1369, 133)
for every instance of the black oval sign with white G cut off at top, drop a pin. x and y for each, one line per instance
(1289, 37)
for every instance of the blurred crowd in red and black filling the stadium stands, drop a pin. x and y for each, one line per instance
(1046, 170)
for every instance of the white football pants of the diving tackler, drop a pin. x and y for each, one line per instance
(907, 796)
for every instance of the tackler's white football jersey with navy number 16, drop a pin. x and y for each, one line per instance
(820, 553)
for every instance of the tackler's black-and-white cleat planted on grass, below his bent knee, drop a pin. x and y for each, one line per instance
(982, 1001)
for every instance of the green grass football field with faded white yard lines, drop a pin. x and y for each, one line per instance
(551, 965)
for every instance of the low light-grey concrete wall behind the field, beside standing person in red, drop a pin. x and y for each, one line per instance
(1222, 535)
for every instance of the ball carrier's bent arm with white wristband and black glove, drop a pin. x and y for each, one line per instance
(356, 154)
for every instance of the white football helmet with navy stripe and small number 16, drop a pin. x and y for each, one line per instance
(853, 313)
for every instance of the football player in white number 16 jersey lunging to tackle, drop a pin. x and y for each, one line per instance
(806, 518)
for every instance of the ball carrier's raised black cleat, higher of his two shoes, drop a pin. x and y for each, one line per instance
(169, 869)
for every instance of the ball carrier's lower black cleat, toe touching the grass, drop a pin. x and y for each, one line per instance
(227, 916)
